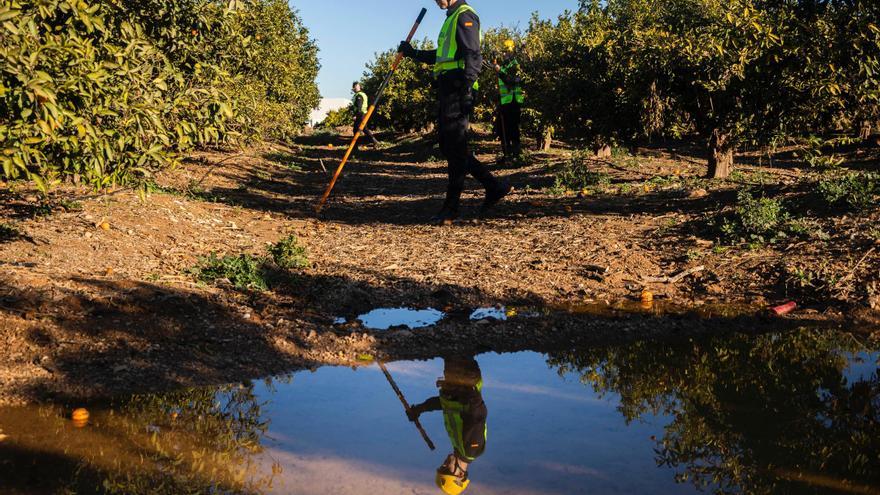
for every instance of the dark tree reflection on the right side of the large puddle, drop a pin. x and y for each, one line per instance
(765, 414)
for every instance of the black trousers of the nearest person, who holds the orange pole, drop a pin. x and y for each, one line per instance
(453, 127)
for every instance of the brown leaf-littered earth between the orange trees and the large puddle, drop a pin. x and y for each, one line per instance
(96, 297)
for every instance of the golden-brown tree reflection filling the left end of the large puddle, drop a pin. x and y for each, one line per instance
(192, 441)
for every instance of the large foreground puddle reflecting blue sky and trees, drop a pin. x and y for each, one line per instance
(786, 413)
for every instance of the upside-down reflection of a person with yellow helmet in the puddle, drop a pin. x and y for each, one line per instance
(464, 415)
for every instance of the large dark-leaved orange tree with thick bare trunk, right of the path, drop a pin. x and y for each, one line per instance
(735, 72)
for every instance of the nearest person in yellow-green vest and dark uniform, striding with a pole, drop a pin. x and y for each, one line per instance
(457, 63)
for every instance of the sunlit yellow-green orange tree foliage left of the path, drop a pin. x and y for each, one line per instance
(111, 90)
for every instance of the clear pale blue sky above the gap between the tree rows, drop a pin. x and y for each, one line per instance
(349, 32)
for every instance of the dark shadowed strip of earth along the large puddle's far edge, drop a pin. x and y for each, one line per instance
(108, 336)
